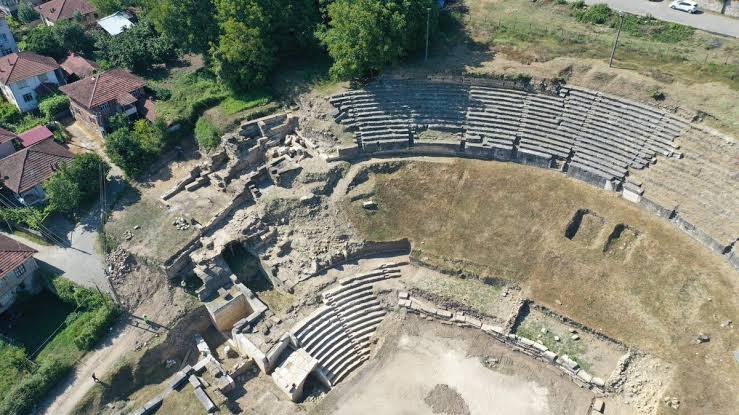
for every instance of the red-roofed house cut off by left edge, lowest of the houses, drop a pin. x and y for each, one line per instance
(17, 271)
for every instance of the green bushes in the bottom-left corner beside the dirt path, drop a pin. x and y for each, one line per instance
(32, 389)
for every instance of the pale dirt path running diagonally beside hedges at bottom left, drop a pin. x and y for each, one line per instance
(65, 396)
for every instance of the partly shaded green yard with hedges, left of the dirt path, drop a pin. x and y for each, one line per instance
(40, 317)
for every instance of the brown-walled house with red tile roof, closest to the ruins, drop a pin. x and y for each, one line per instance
(95, 99)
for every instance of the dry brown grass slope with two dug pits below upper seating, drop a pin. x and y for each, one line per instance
(655, 291)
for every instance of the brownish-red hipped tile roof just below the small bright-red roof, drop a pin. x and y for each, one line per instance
(26, 168)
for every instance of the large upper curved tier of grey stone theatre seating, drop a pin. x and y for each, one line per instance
(605, 140)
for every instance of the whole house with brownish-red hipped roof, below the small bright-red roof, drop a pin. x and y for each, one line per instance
(23, 173)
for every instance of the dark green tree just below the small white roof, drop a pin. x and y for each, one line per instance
(138, 48)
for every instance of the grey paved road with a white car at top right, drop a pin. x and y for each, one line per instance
(709, 22)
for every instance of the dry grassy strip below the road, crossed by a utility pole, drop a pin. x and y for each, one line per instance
(542, 31)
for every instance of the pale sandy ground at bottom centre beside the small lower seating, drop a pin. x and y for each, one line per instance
(423, 355)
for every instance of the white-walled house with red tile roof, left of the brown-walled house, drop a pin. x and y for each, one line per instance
(24, 76)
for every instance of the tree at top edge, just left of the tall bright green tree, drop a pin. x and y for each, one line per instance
(190, 24)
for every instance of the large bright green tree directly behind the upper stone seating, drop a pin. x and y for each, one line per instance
(364, 36)
